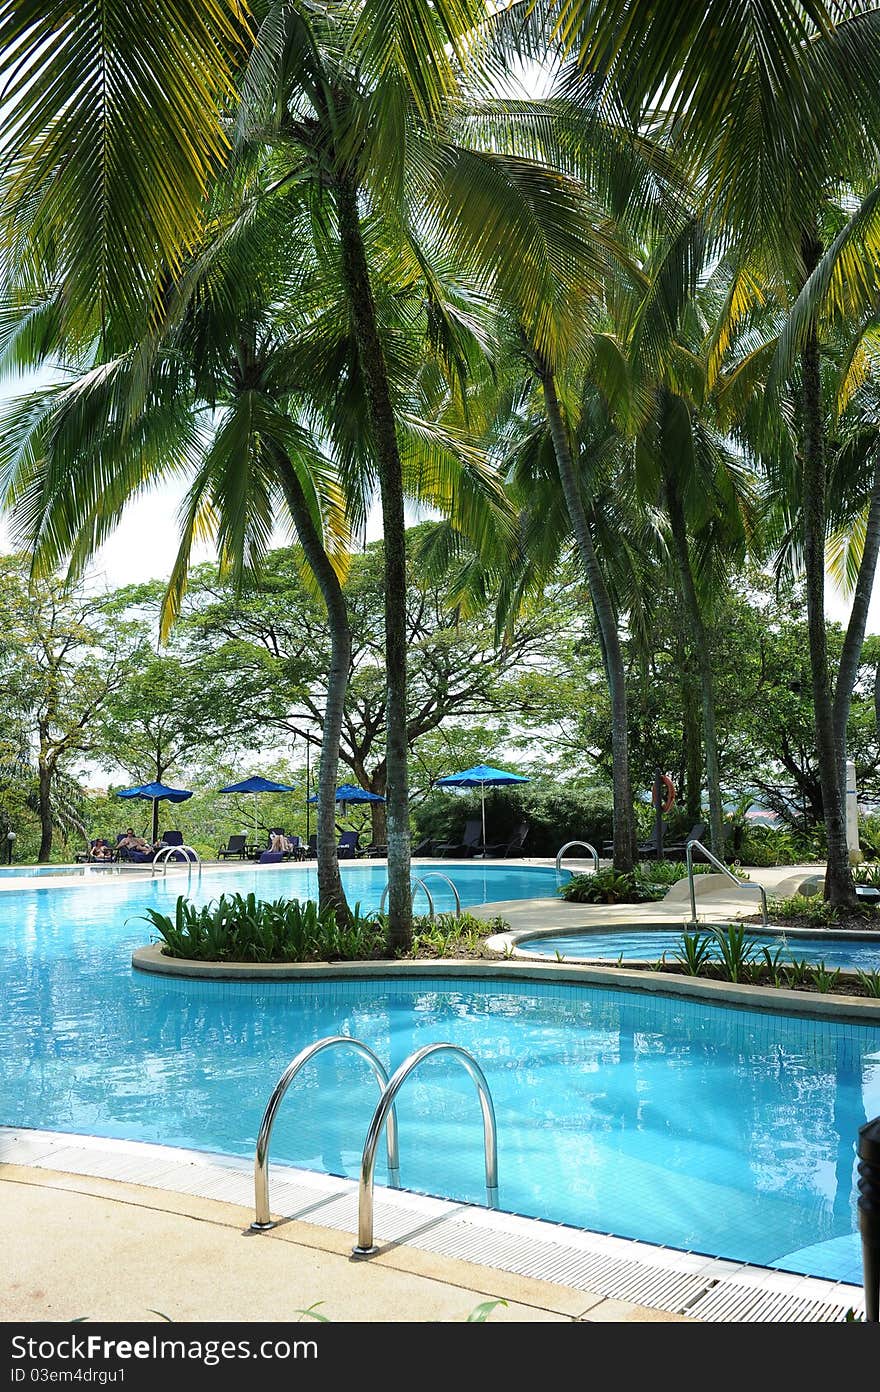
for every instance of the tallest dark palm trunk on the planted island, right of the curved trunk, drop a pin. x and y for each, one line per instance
(356, 274)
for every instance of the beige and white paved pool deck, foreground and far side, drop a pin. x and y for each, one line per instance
(113, 1231)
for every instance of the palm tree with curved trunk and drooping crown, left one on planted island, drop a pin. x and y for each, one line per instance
(221, 396)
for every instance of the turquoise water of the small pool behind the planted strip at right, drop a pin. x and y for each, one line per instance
(650, 944)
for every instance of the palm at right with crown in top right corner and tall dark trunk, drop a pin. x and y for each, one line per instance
(772, 115)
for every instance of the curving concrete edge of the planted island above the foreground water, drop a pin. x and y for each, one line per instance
(858, 1010)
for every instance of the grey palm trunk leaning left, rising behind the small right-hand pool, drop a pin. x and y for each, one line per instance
(624, 832)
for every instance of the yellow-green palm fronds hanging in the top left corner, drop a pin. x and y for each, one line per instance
(111, 133)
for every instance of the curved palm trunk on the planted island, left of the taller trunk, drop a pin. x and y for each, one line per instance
(331, 892)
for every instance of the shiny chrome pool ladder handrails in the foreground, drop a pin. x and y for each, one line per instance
(385, 1118)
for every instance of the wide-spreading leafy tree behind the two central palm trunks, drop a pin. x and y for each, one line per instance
(464, 677)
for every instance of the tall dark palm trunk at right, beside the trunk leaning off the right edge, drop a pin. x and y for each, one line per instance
(839, 876)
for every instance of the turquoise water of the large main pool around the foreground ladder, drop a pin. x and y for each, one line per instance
(704, 1128)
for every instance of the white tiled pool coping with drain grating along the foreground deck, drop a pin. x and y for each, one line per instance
(694, 1284)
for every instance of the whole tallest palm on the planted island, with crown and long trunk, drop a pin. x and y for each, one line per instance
(361, 111)
